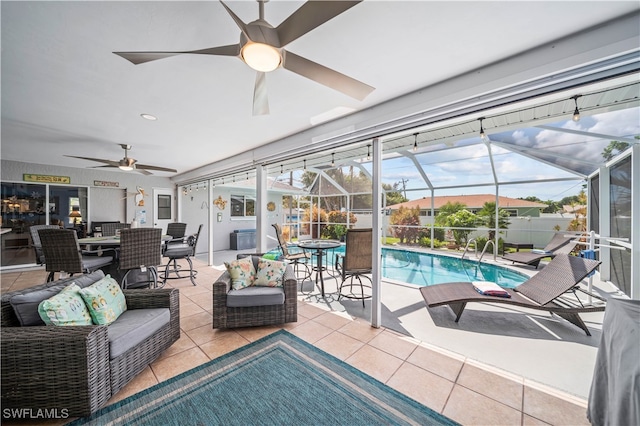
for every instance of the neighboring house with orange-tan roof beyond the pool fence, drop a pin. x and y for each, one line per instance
(473, 203)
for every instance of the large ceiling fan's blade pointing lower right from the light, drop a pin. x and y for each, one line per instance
(326, 76)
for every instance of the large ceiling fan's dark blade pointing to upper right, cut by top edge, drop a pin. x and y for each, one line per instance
(309, 16)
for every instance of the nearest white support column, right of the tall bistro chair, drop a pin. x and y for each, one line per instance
(376, 220)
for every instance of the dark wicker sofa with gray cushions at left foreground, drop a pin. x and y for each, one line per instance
(71, 368)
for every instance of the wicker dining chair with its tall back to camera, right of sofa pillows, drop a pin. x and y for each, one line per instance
(140, 254)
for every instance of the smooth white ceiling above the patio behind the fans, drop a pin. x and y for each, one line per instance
(65, 92)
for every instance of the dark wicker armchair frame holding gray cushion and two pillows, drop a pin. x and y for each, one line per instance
(250, 316)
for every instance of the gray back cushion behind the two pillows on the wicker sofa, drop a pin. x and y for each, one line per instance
(25, 305)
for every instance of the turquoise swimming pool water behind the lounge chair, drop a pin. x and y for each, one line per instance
(424, 269)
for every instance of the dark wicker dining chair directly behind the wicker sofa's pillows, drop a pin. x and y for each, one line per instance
(62, 253)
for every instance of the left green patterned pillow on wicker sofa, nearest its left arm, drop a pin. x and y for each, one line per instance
(65, 308)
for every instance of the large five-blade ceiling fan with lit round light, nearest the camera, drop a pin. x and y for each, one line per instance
(261, 47)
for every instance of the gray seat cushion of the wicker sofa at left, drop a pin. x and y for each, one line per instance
(133, 327)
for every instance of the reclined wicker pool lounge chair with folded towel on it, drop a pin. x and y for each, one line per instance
(541, 292)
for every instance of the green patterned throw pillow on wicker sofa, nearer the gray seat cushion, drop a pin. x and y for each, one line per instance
(105, 300)
